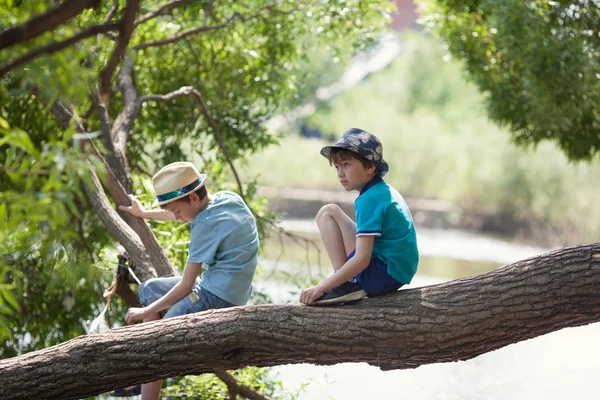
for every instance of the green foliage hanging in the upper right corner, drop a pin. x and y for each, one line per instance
(536, 61)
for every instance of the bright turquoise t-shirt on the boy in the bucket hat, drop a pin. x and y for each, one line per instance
(382, 212)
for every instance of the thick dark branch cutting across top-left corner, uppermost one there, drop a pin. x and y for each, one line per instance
(45, 22)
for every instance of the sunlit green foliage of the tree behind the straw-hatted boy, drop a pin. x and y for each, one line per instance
(252, 60)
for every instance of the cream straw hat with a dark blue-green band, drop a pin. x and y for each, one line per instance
(175, 181)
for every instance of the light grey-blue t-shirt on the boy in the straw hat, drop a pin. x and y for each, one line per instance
(224, 238)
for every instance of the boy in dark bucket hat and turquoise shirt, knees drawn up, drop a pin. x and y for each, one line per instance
(377, 254)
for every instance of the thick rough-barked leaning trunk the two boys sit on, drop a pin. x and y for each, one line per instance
(457, 320)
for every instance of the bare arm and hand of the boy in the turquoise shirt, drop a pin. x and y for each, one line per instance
(352, 267)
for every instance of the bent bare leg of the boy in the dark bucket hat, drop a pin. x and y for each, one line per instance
(338, 233)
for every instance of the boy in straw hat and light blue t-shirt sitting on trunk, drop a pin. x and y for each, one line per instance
(223, 243)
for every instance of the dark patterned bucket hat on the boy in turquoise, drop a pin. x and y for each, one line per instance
(363, 143)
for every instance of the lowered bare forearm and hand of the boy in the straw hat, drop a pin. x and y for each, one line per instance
(177, 292)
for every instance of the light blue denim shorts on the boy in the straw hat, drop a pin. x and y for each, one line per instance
(155, 288)
